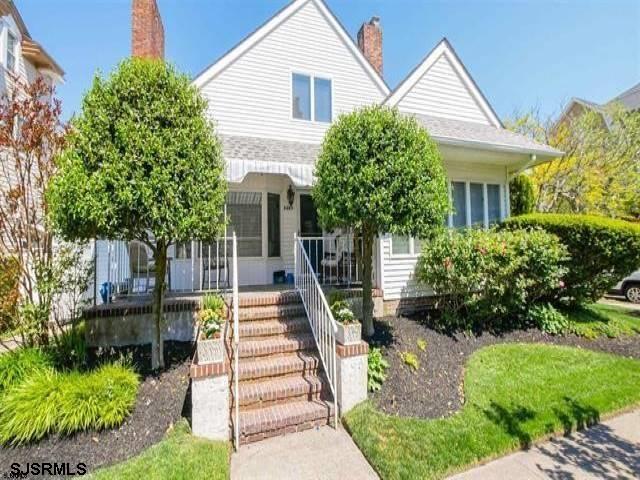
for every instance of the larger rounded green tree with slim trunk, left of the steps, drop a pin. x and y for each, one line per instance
(142, 163)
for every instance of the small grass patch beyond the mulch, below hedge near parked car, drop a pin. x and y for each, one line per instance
(597, 320)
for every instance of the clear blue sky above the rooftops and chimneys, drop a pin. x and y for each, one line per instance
(522, 53)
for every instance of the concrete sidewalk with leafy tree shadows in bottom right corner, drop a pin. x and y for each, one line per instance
(609, 451)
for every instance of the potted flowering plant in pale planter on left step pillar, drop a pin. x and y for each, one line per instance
(211, 320)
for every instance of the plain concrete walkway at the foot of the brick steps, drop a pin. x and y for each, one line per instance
(323, 453)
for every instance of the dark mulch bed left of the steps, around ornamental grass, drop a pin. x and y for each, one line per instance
(160, 403)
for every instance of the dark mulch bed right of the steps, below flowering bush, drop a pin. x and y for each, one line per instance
(435, 390)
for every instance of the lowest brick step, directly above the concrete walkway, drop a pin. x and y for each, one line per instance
(289, 417)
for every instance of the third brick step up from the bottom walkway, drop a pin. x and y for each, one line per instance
(301, 363)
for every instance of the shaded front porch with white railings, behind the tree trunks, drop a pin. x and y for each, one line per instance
(266, 212)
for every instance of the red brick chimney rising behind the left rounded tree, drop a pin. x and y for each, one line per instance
(147, 33)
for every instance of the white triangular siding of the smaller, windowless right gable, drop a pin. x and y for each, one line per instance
(442, 93)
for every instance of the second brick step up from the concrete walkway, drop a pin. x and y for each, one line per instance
(264, 392)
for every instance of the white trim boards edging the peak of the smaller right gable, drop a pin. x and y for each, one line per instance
(444, 48)
